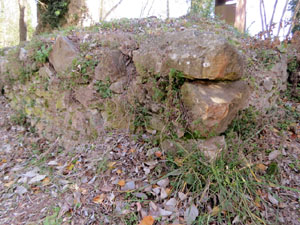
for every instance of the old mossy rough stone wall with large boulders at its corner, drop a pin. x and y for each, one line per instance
(167, 84)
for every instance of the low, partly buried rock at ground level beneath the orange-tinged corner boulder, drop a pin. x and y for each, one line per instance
(211, 147)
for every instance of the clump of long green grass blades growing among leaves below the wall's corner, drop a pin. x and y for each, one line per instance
(225, 185)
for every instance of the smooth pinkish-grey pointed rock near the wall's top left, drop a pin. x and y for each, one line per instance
(62, 54)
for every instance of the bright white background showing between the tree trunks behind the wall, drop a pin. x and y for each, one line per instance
(9, 14)
